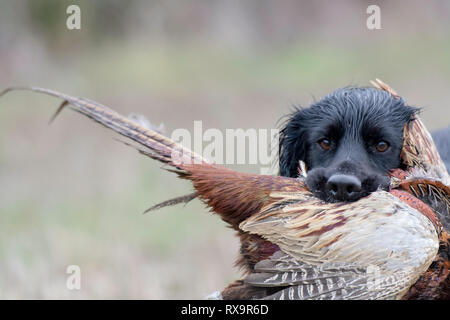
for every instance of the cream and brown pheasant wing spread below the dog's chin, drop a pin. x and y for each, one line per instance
(372, 249)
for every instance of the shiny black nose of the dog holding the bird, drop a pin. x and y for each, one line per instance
(343, 187)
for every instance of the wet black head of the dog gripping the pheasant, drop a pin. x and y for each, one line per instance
(349, 141)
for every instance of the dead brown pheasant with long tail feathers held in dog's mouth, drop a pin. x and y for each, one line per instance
(388, 245)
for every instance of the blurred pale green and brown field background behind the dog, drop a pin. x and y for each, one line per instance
(72, 195)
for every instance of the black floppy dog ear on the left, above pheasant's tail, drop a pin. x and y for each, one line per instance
(292, 144)
